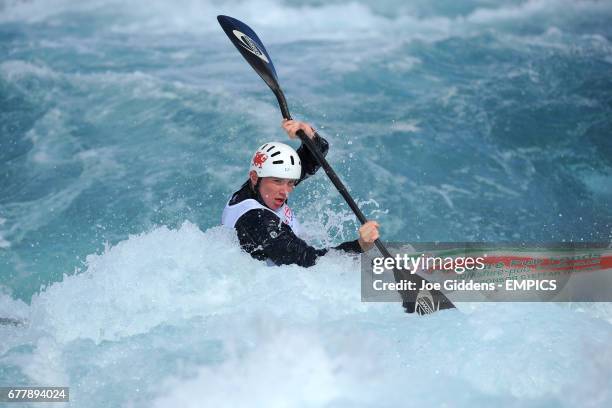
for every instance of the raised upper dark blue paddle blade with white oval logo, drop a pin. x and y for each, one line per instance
(251, 48)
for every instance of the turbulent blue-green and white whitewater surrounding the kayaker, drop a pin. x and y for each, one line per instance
(125, 127)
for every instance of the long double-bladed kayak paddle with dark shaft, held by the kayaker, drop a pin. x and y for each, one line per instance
(252, 49)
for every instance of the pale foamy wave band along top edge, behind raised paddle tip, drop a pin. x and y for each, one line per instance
(316, 21)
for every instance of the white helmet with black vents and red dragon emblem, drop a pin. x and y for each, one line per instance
(275, 159)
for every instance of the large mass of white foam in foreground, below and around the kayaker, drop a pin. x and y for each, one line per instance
(276, 336)
